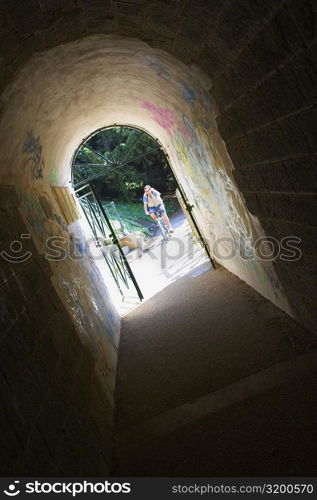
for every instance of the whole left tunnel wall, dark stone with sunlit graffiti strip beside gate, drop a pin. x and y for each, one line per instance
(59, 327)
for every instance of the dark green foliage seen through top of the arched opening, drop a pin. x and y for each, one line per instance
(121, 160)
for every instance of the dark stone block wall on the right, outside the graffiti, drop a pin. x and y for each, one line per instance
(266, 100)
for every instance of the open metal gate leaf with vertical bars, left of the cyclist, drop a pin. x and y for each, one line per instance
(103, 230)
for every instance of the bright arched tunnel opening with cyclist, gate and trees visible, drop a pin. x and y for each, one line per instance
(109, 171)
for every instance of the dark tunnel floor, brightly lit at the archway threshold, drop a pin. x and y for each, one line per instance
(214, 380)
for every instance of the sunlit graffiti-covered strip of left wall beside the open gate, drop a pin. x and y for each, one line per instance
(52, 212)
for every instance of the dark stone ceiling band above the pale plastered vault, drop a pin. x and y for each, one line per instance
(209, 33)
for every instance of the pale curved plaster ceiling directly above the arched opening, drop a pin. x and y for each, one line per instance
(66, 93)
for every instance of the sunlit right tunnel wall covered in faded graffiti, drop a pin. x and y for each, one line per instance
(204, 169)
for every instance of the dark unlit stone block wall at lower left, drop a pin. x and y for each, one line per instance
(56, 417)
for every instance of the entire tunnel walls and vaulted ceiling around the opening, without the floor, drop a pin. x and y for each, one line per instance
(228, 88)
